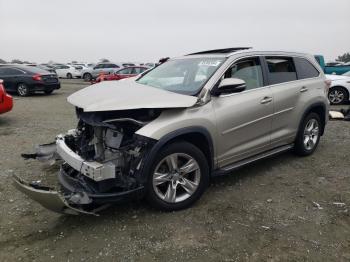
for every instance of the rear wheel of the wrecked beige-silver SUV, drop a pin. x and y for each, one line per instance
(308, 135)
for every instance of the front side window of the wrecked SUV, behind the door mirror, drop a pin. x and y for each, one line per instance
(248, 70)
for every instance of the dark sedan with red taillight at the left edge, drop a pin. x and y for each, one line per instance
(25, 80)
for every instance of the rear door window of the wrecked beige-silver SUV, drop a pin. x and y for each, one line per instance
(281, 69)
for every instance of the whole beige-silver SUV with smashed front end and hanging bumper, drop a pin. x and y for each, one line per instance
(164, 134)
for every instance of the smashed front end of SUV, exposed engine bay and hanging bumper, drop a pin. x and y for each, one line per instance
(101, 162)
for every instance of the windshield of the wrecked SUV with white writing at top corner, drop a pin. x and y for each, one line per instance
(184, 76)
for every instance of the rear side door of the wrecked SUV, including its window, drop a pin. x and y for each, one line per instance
(290, 95)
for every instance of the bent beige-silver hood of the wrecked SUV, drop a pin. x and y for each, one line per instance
(127, 94)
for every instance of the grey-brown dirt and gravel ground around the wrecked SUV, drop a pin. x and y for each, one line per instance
(265, 212)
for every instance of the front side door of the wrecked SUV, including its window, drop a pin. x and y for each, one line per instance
(244, 119)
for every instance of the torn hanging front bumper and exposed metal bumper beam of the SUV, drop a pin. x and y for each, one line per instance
(80, 185)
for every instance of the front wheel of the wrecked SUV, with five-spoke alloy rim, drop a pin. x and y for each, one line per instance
(168, 171)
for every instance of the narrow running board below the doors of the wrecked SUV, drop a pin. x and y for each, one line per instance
(229, 168)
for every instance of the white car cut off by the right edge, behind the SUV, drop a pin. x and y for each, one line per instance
(340, 89)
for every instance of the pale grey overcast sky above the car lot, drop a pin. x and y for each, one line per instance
(144, 31)
